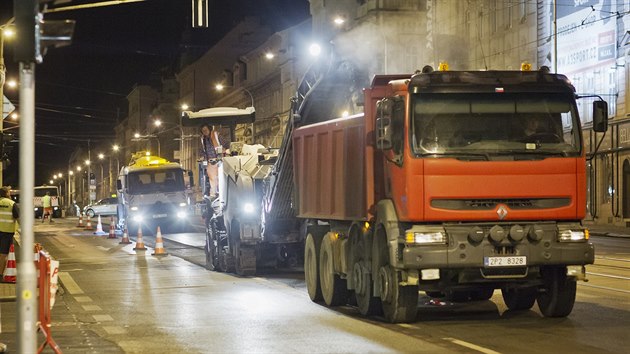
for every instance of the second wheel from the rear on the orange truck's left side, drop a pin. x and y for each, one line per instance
(334, 290)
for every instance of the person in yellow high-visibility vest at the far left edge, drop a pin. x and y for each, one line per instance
(9, 214)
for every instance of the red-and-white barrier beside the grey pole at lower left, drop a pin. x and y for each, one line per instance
(47, 274)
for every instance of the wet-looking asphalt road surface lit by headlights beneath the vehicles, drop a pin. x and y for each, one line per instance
(117, 300)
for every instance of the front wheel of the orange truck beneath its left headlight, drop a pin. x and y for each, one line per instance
(400, 303)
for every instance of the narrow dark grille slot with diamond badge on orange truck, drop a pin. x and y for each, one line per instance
(490, 204)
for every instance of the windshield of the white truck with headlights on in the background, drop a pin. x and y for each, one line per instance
(143, 182)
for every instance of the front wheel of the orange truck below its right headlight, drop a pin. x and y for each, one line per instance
(558, 295)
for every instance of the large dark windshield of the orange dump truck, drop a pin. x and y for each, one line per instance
(487, 124)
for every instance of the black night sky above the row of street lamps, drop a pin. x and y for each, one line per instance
(81, 89)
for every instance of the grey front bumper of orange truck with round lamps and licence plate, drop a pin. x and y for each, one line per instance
(537, 244)
